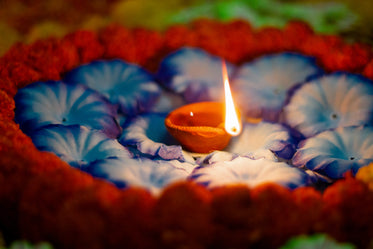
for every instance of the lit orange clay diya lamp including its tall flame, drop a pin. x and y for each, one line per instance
(206, 126)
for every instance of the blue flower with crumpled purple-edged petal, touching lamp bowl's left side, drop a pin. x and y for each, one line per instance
(149, 135)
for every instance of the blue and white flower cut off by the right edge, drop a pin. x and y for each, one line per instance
(335, 152)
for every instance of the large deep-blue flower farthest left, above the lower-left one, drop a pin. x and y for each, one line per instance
(55, 102)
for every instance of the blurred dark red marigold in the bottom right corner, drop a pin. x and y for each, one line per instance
(347, 214)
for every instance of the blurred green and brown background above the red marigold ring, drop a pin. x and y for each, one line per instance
(29, 20)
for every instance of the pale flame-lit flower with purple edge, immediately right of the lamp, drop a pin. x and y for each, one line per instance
(263, 140)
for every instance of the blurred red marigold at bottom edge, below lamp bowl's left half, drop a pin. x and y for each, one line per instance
(183, 216)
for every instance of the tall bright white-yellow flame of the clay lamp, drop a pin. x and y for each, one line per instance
(232, 122)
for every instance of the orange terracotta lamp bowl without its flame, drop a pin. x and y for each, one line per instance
(199, 127)
